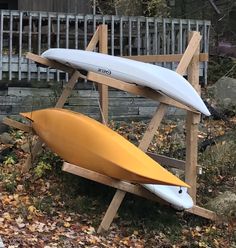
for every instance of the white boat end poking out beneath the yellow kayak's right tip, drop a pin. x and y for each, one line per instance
(178, 197)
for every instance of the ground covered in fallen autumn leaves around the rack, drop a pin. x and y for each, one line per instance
(48, 208)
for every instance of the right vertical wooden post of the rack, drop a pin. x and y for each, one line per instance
(192, 122)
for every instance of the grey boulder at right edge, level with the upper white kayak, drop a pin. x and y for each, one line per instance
(224, 92)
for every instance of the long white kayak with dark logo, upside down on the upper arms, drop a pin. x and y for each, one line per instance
(158, 78)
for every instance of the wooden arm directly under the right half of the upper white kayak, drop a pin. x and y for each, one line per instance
(136, 90)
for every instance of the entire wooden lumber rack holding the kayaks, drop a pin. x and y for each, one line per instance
(188, 62)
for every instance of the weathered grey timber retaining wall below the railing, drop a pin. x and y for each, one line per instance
(122, 105)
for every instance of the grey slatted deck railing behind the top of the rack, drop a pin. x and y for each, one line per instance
(21, 32)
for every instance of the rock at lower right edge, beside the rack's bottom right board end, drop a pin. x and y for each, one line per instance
(224, 204)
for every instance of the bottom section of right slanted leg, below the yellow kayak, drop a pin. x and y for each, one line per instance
(111, 211)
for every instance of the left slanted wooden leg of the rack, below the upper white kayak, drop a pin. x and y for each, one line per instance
(60, 103)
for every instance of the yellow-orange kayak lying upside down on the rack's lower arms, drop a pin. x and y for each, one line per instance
(87, 143)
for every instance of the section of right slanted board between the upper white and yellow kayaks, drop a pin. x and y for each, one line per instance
(152, 127)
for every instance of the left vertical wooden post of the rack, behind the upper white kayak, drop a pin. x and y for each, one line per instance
(102, 88)
